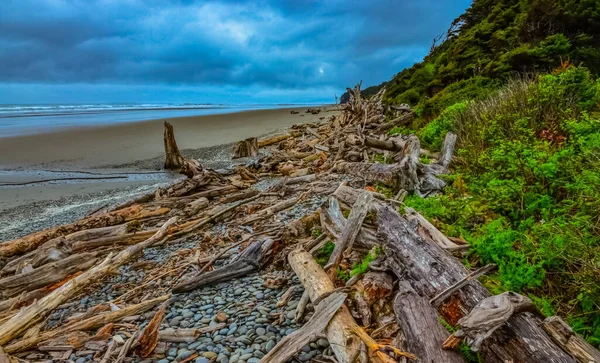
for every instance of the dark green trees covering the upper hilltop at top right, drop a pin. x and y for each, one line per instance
(492, 42)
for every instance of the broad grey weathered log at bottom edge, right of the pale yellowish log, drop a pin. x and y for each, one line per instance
(423, 334)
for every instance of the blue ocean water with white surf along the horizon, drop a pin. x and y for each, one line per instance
(17, 120)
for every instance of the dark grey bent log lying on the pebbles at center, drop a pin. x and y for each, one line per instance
(250, 260)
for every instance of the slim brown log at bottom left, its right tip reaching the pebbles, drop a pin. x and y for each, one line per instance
(93, 322)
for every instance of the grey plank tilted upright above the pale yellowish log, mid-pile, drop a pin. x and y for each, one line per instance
(351, 229)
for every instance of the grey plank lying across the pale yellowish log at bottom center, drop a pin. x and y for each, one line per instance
(291, 344)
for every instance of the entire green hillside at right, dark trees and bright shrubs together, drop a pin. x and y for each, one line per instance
(517, 80)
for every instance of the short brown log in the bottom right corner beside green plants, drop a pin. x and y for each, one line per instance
(564, 336)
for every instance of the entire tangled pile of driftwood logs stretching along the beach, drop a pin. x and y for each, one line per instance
(392, 312)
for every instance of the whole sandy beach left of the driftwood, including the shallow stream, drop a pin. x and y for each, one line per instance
(53, 178)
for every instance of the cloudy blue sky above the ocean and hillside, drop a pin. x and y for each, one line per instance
(263, 51)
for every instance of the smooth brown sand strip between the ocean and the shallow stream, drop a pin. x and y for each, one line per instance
(94, 147)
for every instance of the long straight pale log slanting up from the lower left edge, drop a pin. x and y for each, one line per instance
(39, 309)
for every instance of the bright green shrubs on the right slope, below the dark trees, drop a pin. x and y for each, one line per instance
(526, 193)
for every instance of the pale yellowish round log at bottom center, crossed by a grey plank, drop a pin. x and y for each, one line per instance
(347, 339)
